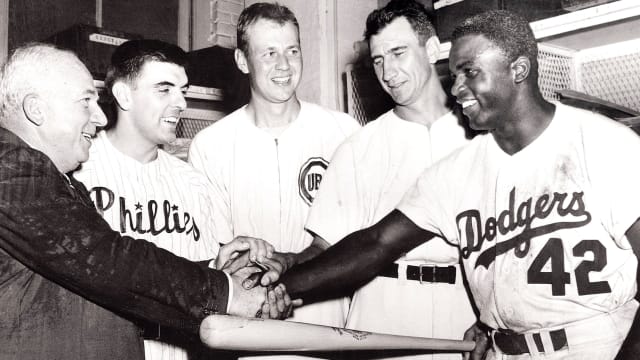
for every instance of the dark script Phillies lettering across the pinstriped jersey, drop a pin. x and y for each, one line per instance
(161, 218)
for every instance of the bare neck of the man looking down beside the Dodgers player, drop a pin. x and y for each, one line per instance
(429, 108)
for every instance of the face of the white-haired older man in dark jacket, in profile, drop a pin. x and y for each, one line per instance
(72, 115)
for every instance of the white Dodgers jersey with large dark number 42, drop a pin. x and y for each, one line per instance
(541, 231)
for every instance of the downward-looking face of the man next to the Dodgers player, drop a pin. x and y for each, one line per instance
(401, 62)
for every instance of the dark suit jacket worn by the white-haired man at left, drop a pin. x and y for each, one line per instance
(69, 284)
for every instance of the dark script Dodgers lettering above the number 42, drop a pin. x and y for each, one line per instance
(473, 233)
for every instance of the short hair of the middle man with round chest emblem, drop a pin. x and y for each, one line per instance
(269, 11)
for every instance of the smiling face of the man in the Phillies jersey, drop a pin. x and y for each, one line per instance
(157, 99)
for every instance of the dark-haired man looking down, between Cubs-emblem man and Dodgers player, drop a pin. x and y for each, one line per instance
(371, 171)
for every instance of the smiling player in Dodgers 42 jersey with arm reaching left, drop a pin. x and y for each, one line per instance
(544, 208)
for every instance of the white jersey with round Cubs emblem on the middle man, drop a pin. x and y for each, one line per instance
(269, 183)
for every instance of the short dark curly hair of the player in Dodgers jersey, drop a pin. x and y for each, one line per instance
(510, 32)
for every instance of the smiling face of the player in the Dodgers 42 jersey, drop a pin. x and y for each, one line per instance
(483, 81)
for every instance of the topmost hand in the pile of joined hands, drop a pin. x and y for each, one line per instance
(256, 250)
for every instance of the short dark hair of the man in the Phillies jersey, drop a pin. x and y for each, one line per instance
(129, 58)
